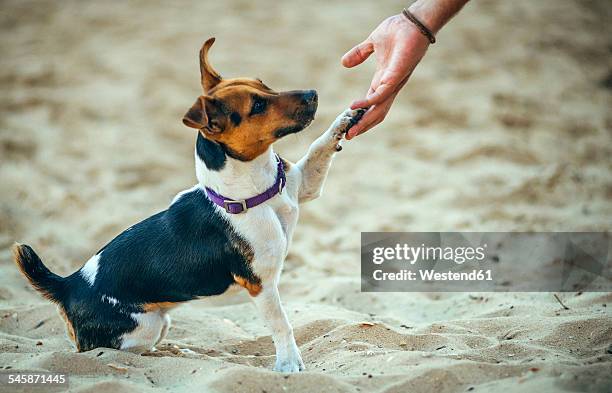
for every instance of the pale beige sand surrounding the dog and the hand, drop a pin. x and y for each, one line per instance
(505, 126)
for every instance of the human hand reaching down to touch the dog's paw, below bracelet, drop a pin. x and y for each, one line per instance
(398, 46)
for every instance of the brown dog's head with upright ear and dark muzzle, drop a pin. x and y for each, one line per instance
(244, 115)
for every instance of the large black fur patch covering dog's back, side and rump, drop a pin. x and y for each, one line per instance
(176, 255)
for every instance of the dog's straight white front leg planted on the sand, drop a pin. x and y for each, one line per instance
(288, 358)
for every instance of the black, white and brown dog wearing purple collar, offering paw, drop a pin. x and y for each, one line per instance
(232, 228)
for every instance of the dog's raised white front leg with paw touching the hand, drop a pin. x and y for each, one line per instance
(314, 166)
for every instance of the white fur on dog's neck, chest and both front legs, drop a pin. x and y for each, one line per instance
(269, 227)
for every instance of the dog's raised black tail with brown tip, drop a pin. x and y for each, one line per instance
(49, 284)
